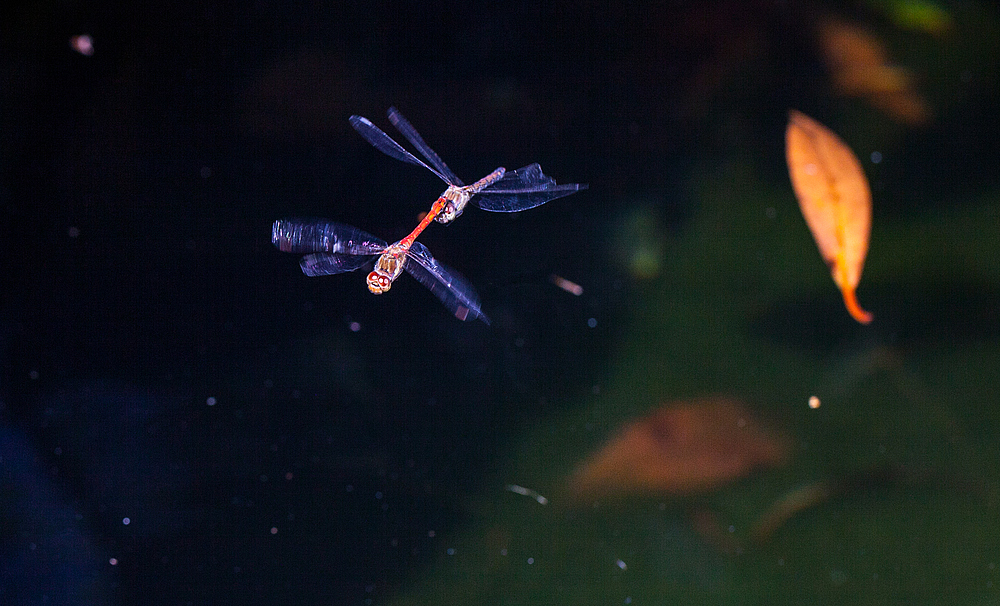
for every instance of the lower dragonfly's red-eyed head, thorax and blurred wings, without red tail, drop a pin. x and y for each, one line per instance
(335, 248)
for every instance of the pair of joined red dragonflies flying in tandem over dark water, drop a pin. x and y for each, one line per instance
(337, 248)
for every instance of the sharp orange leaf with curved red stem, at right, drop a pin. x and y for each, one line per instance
(835, 201)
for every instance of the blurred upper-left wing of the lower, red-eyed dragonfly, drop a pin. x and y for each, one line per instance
(319, 235)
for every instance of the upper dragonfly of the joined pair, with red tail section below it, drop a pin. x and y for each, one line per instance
(500, 191)
